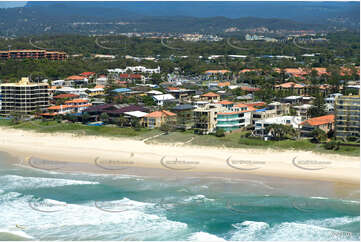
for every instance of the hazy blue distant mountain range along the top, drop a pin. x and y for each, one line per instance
(207, 17)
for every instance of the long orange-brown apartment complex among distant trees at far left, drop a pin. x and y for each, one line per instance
(32, 54)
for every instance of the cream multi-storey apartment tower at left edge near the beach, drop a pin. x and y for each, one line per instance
(23, 97)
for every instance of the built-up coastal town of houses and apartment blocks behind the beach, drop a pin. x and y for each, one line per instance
(216, 102)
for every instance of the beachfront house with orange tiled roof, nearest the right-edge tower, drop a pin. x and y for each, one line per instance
(325, 123)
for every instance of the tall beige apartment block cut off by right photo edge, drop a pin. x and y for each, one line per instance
(347, 121)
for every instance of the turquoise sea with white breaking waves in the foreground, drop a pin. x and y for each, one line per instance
(42, 205)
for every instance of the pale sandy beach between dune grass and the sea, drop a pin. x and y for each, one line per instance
(116, 154)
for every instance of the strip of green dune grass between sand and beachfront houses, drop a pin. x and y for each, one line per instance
(232, 140)
